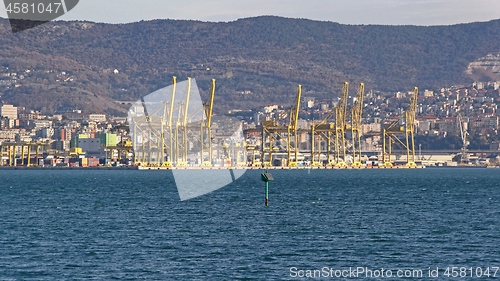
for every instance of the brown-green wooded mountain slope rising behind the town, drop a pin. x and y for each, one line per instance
(267, 55)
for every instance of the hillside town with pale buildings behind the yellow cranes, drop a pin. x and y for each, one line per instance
(443, 117)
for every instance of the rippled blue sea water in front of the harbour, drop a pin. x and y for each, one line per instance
(131, 225)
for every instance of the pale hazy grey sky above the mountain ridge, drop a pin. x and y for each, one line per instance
(393, 12)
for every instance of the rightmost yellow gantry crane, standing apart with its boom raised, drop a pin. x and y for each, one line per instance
(391, 133)
